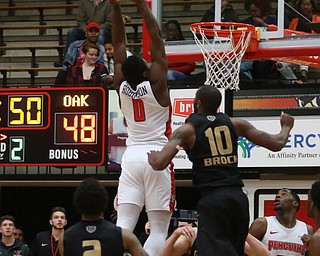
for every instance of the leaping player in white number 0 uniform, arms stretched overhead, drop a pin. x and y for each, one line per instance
(145, 103)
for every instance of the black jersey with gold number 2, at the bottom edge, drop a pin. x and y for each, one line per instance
(99, 237)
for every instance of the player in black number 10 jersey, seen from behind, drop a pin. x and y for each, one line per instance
(210, 140)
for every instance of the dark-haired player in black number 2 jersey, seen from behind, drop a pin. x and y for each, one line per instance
(94, 235)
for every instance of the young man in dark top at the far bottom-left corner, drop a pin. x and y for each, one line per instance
(9, 245)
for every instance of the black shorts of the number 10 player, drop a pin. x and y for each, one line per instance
(223, 222)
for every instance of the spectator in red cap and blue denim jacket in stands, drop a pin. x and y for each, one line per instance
(75, 55)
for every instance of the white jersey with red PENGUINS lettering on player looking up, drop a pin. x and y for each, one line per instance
(282, 241)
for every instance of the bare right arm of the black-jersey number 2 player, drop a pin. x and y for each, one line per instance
(132, 244)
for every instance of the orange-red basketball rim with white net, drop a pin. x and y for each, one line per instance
(223, 45)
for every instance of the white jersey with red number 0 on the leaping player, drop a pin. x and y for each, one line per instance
(148, 122)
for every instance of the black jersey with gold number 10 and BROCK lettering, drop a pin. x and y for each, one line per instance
(214, 155)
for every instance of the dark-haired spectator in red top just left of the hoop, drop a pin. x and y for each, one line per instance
(182, 70)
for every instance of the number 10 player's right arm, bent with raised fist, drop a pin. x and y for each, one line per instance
(273, 142)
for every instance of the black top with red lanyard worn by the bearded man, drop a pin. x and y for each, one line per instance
(44, 244)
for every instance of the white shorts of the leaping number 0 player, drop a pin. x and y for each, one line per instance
(139, 184)
